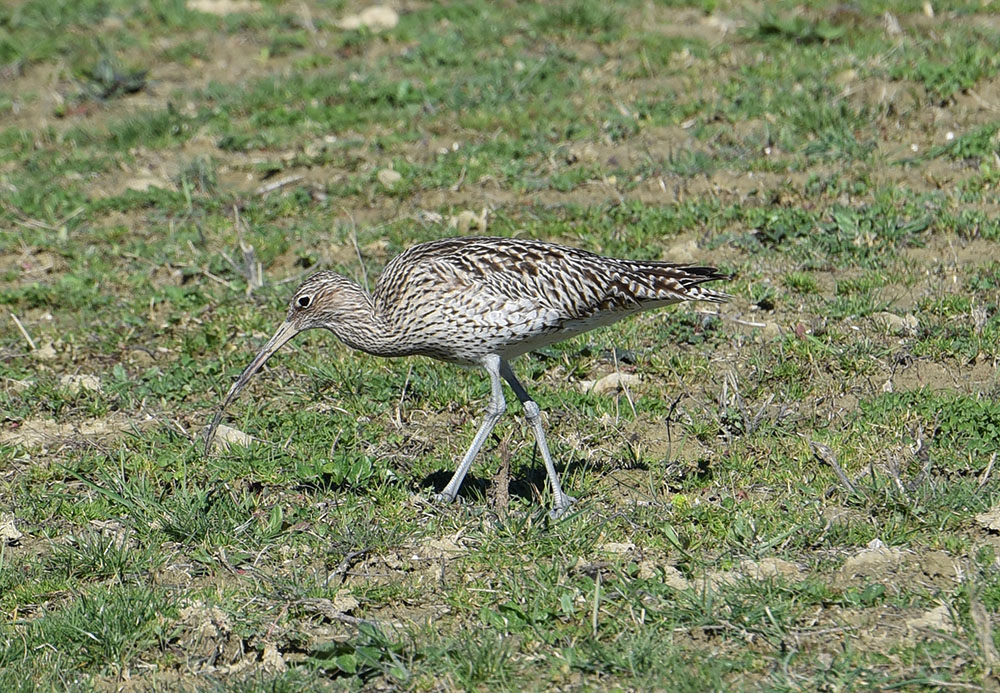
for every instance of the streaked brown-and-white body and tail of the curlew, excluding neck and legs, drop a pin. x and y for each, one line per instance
(459, 299)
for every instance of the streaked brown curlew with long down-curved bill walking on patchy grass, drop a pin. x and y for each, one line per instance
(483, 302)
